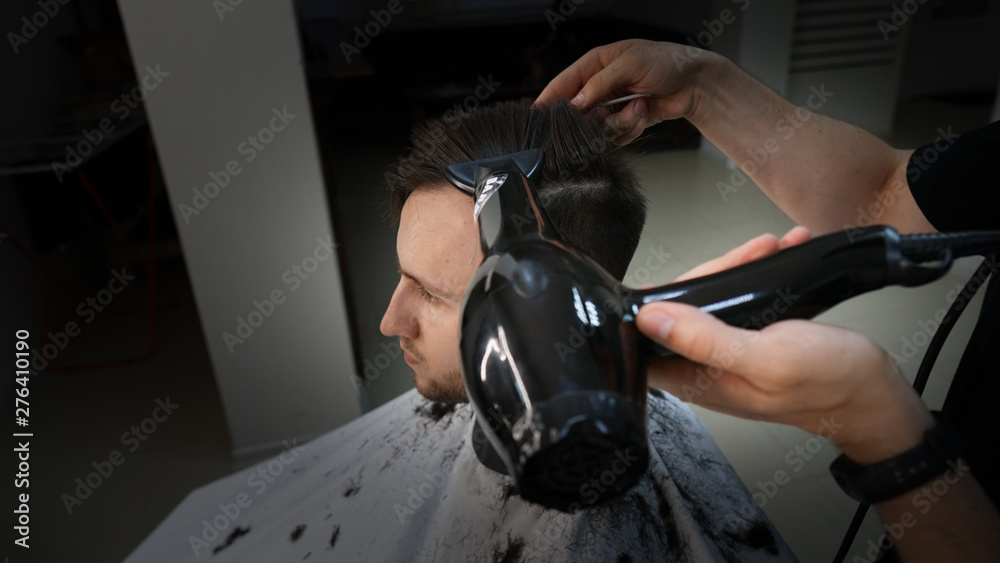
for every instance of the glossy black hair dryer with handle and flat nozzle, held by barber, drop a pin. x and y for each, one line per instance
(552, 361)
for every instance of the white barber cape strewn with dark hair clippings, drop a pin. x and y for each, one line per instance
(403, 483)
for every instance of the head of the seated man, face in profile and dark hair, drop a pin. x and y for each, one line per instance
(588, 189)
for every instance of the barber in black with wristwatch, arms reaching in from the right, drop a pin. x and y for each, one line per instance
(793, 372)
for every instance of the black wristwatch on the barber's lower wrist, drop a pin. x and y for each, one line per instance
(941, 448)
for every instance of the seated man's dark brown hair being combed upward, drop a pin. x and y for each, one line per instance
(587, 186)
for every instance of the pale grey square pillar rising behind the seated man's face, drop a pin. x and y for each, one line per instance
(227, 76)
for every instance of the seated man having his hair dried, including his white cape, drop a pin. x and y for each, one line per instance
(404, 482)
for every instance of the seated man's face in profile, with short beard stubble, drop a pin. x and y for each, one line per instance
(438, 251)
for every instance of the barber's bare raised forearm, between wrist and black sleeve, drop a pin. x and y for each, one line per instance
(824, 173)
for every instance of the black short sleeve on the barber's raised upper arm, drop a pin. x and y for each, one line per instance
(956, 180)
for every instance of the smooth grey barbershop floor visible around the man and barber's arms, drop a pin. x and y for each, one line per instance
(688, 218)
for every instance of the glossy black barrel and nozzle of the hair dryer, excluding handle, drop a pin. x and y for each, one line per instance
(547, 362)
